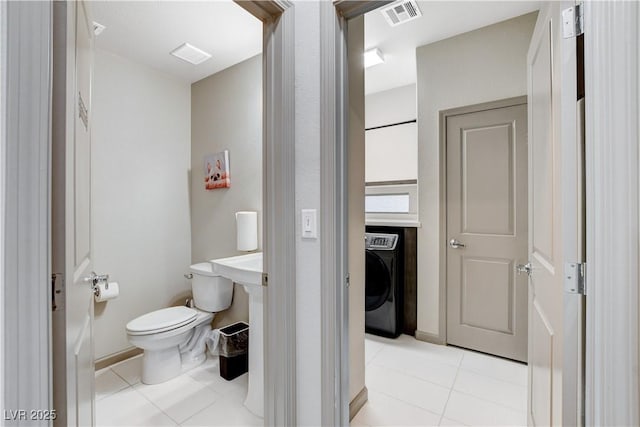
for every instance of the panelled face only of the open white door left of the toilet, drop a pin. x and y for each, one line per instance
(79, 293)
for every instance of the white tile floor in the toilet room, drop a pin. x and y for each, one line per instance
(198, 398)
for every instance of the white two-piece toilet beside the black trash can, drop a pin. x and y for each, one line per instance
(173, 338)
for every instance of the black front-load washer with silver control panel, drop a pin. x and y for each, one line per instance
(384, 285)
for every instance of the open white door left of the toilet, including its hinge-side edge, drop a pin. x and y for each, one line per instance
(73, 315)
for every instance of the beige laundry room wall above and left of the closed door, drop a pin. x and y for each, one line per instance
(483, 65)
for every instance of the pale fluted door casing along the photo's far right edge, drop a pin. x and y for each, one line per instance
(612, 55)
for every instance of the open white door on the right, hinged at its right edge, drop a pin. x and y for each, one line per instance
(551, 91)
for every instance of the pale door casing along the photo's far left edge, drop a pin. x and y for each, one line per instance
(25, 299)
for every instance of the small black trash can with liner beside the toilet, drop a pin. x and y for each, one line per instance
(234, 350)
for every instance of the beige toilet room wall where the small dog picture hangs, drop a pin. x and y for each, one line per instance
(226, 114)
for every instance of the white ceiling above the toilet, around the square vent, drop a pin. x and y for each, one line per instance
(146, 31)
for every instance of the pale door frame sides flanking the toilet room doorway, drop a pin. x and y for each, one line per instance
(26, 195)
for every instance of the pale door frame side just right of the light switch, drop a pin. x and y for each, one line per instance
(334, 121)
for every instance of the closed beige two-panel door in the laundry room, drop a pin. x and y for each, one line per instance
(487, 230)
